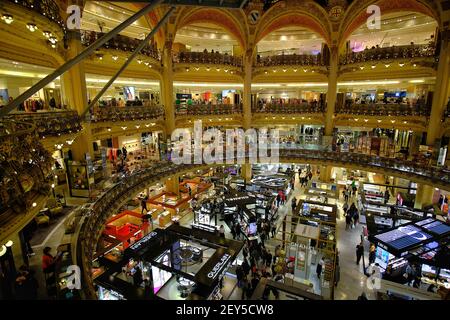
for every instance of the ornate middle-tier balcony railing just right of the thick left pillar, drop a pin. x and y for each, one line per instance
(115, 114)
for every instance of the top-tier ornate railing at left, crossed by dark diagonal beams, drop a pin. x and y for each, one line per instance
(120, 42)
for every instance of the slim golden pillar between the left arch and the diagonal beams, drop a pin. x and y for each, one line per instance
(167, 88)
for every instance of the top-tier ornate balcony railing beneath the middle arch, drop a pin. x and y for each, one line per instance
(290, 60)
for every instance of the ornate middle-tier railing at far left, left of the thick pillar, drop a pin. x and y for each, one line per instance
(52, 123)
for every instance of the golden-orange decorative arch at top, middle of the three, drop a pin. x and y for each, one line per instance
(295, 13)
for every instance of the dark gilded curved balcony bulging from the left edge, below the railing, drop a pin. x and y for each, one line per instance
(25, 167)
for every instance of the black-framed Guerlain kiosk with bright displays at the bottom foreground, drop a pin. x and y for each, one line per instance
(177, 263)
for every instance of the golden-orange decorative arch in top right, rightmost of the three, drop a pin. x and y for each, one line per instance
(356, 14)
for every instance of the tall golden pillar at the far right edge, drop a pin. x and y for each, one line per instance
(440, 94)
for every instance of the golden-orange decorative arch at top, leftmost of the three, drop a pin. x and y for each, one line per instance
(221, 18)
